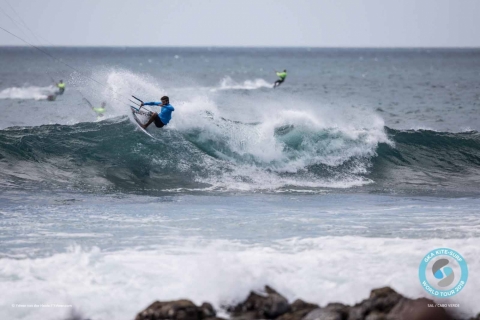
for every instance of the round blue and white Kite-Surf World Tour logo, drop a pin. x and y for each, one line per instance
(443, 272)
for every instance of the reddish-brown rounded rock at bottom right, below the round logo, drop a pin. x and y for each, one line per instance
(407, 309)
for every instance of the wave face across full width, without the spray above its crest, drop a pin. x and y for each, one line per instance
(220, 154)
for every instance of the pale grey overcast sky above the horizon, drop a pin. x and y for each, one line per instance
(311, 23)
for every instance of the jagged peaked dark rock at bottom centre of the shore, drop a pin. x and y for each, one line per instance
(258, 306)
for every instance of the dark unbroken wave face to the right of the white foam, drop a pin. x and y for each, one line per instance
(429, 160)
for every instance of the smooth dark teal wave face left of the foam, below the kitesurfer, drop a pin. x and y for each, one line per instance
(93, 156)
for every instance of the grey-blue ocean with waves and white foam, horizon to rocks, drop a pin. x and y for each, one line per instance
(339, 181)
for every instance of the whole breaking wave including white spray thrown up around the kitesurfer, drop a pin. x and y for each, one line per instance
(271, 144)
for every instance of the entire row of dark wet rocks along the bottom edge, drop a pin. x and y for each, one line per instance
(382, 304)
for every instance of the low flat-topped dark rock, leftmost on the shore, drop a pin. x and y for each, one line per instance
(176, 310)
